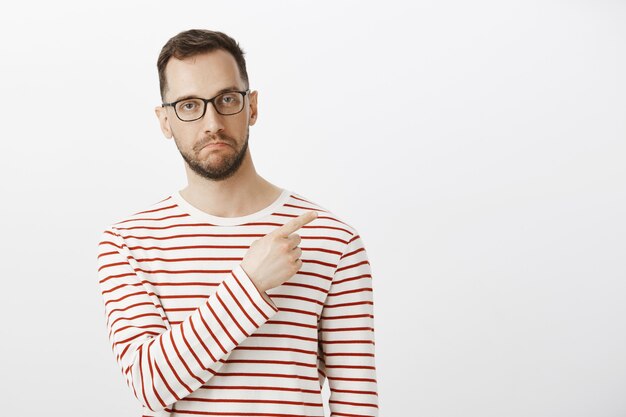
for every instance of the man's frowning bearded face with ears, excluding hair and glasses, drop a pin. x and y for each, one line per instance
(204, 76)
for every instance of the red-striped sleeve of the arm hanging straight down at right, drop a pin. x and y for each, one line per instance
(346, 334)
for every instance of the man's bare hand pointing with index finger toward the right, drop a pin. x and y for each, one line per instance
(274, 258)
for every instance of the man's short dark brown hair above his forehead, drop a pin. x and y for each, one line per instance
(196, 41)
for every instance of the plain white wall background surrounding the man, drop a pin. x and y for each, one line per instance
(479, 148)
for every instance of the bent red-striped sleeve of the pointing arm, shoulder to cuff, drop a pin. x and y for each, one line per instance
(163, 363)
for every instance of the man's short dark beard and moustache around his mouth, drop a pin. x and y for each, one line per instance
(224, 166)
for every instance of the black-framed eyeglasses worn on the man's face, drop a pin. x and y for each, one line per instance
(226, 104)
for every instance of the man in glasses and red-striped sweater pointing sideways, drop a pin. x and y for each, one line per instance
(213, 303)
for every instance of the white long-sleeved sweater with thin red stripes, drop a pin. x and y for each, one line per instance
(193, 335)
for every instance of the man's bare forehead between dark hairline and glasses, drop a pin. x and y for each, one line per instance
(203, 74)
